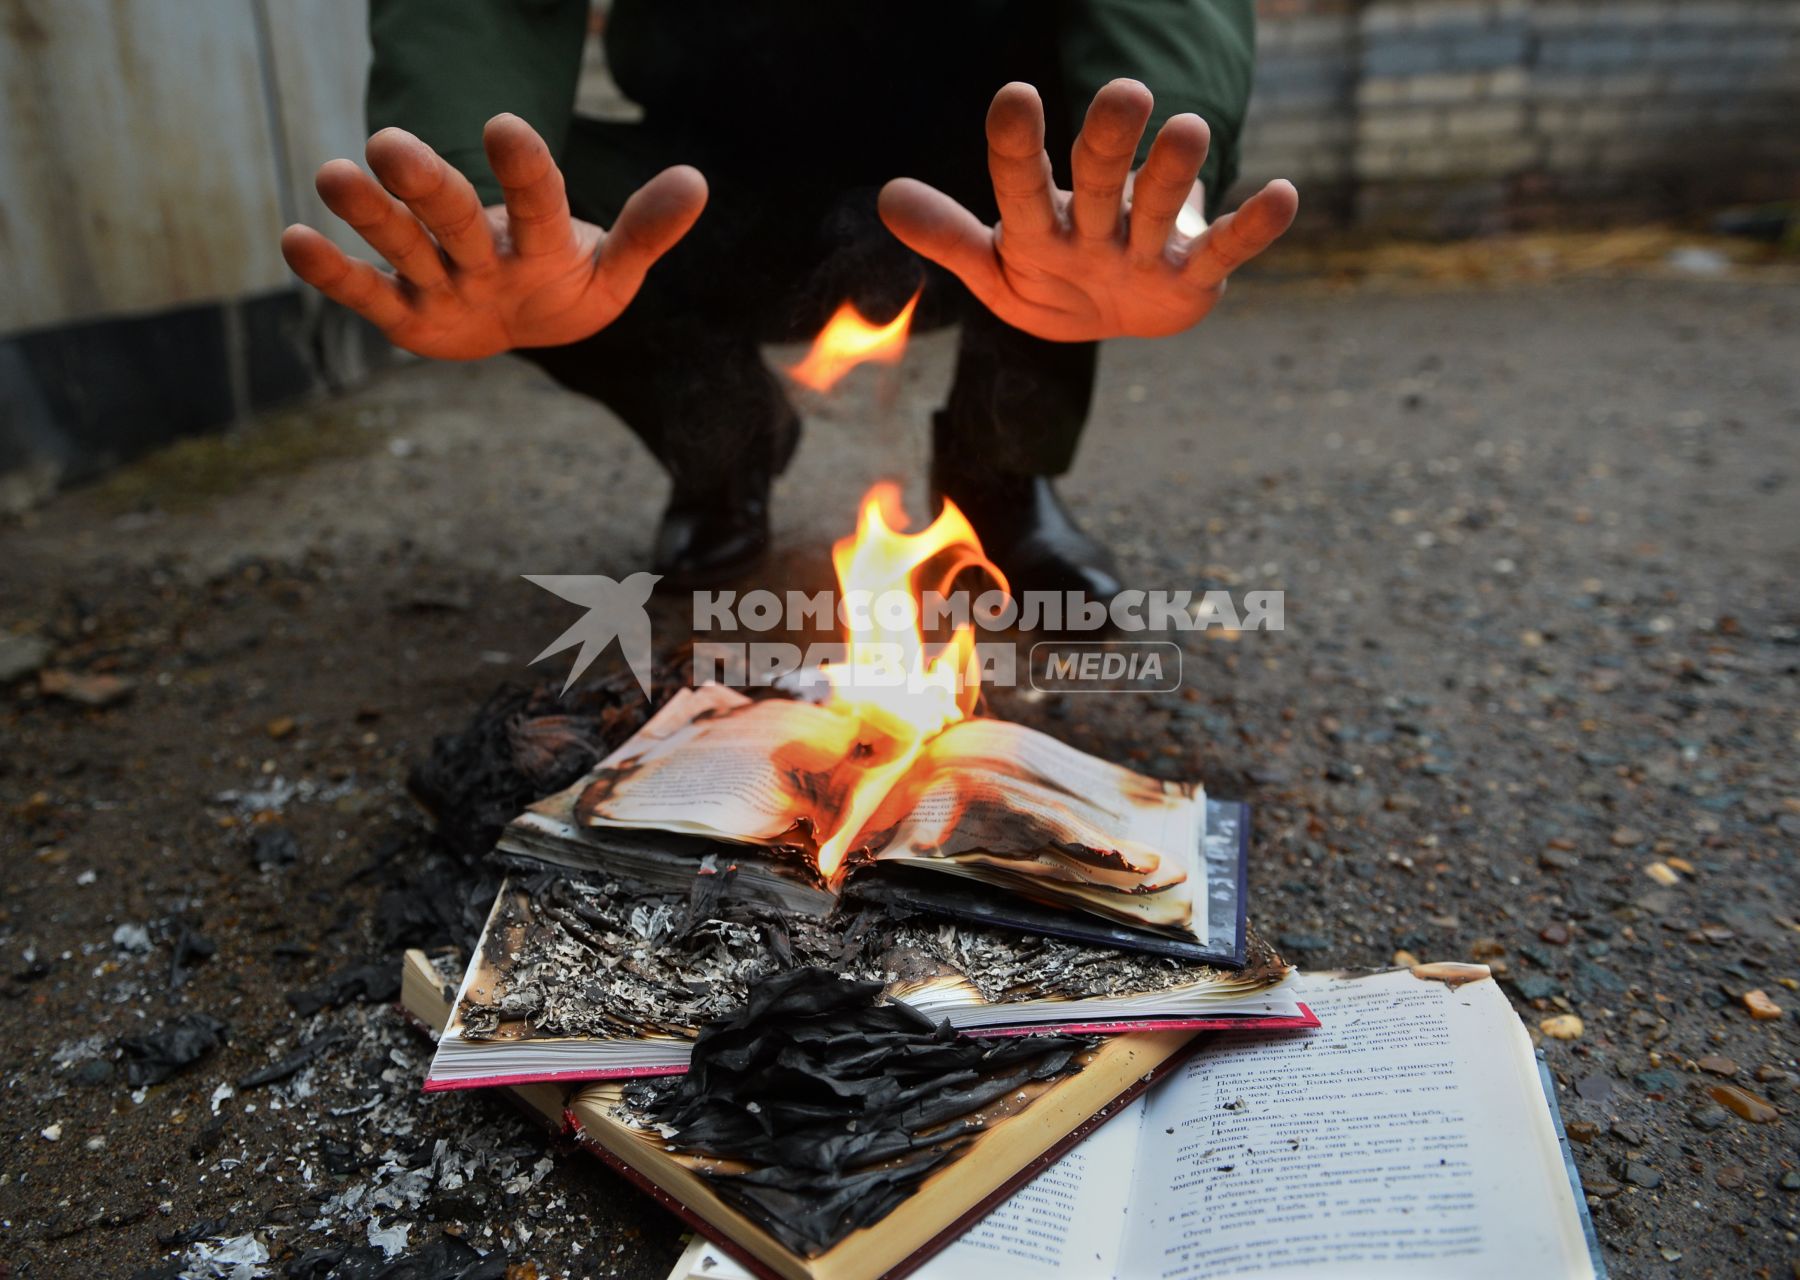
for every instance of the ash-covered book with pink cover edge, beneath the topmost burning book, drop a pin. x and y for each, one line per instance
(591, 982)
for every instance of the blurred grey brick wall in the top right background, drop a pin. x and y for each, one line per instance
(1462, 116)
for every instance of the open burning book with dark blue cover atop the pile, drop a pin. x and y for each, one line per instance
(993, 802)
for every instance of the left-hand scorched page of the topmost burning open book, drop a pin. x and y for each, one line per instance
(721, 764)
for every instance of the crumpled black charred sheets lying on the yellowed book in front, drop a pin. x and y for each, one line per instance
(838, 1104)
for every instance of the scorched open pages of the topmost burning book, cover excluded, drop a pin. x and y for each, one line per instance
(985, 800)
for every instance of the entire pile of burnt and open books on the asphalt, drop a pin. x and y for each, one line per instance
(1232, 1117)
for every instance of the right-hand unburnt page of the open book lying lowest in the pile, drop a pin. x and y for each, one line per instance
(1407, 1139)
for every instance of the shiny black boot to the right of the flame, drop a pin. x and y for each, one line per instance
(1025, 530)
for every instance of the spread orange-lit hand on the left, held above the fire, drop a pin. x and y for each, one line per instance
(472, 282)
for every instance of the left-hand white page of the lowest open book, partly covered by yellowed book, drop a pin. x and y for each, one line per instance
(1063, 1223)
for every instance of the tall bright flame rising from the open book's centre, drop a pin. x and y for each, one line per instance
(890, 680)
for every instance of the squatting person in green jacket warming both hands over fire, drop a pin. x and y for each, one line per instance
(841, 161)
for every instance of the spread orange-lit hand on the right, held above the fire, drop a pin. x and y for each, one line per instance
(1126, 255)
